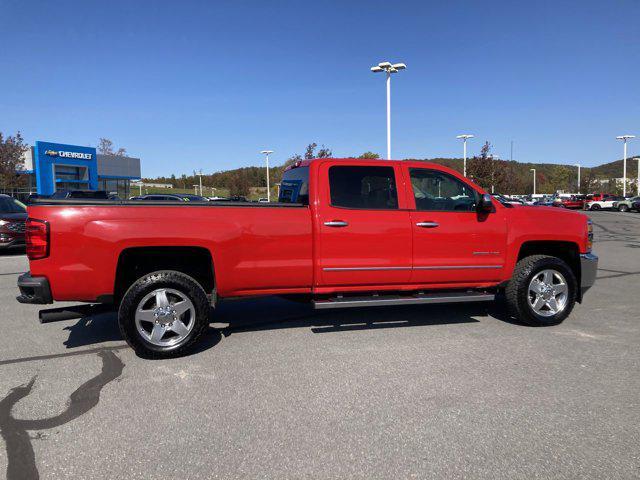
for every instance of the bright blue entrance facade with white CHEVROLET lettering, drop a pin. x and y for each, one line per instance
(59, 166)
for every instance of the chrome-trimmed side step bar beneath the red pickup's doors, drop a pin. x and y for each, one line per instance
(381, 300)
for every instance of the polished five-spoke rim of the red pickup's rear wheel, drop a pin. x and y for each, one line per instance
(165, 317)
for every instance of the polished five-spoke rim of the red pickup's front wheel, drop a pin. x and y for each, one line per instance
(548, 293)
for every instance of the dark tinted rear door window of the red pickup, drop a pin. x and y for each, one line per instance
(372, 188)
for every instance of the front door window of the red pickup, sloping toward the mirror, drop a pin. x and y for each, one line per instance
(439, 191)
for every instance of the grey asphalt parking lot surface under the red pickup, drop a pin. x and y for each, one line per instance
(280, 391)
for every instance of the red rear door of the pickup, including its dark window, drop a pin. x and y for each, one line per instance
(363, 228)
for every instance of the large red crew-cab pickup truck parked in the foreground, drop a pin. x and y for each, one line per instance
(344, 233)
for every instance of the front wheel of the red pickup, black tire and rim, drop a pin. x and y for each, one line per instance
(542, 291)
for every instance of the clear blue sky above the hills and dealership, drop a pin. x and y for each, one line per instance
(187, 84)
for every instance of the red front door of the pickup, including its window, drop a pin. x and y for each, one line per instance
(452, 242)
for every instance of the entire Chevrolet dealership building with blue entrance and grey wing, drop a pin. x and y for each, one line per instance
(56, 166)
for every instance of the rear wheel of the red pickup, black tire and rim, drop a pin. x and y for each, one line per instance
(163, 314)
